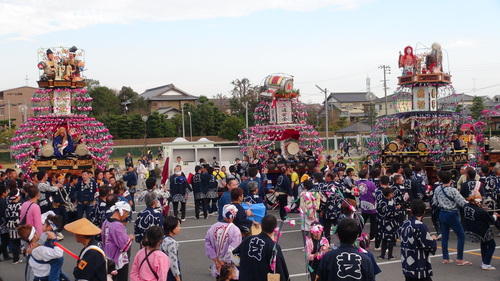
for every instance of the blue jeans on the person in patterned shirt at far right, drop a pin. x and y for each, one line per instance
(451, 220)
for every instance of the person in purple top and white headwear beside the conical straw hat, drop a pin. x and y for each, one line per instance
(115, 240)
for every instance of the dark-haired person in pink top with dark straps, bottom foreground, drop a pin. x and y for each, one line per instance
(150, 264)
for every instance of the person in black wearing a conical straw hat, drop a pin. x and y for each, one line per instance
(91, 265)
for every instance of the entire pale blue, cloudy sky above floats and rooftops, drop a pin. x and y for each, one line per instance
(201, 46)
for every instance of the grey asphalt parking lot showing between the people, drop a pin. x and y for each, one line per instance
(195, 264)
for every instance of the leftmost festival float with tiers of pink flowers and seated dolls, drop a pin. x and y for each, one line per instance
(61, 136)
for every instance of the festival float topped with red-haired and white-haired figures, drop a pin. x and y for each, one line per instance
(426, 103)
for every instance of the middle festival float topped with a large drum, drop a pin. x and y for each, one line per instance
(280, 122)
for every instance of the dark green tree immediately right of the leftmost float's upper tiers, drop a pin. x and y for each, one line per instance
(105, 101)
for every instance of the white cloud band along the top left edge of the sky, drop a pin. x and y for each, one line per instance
(23, 19)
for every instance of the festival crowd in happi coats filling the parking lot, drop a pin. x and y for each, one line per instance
(336, 199)
